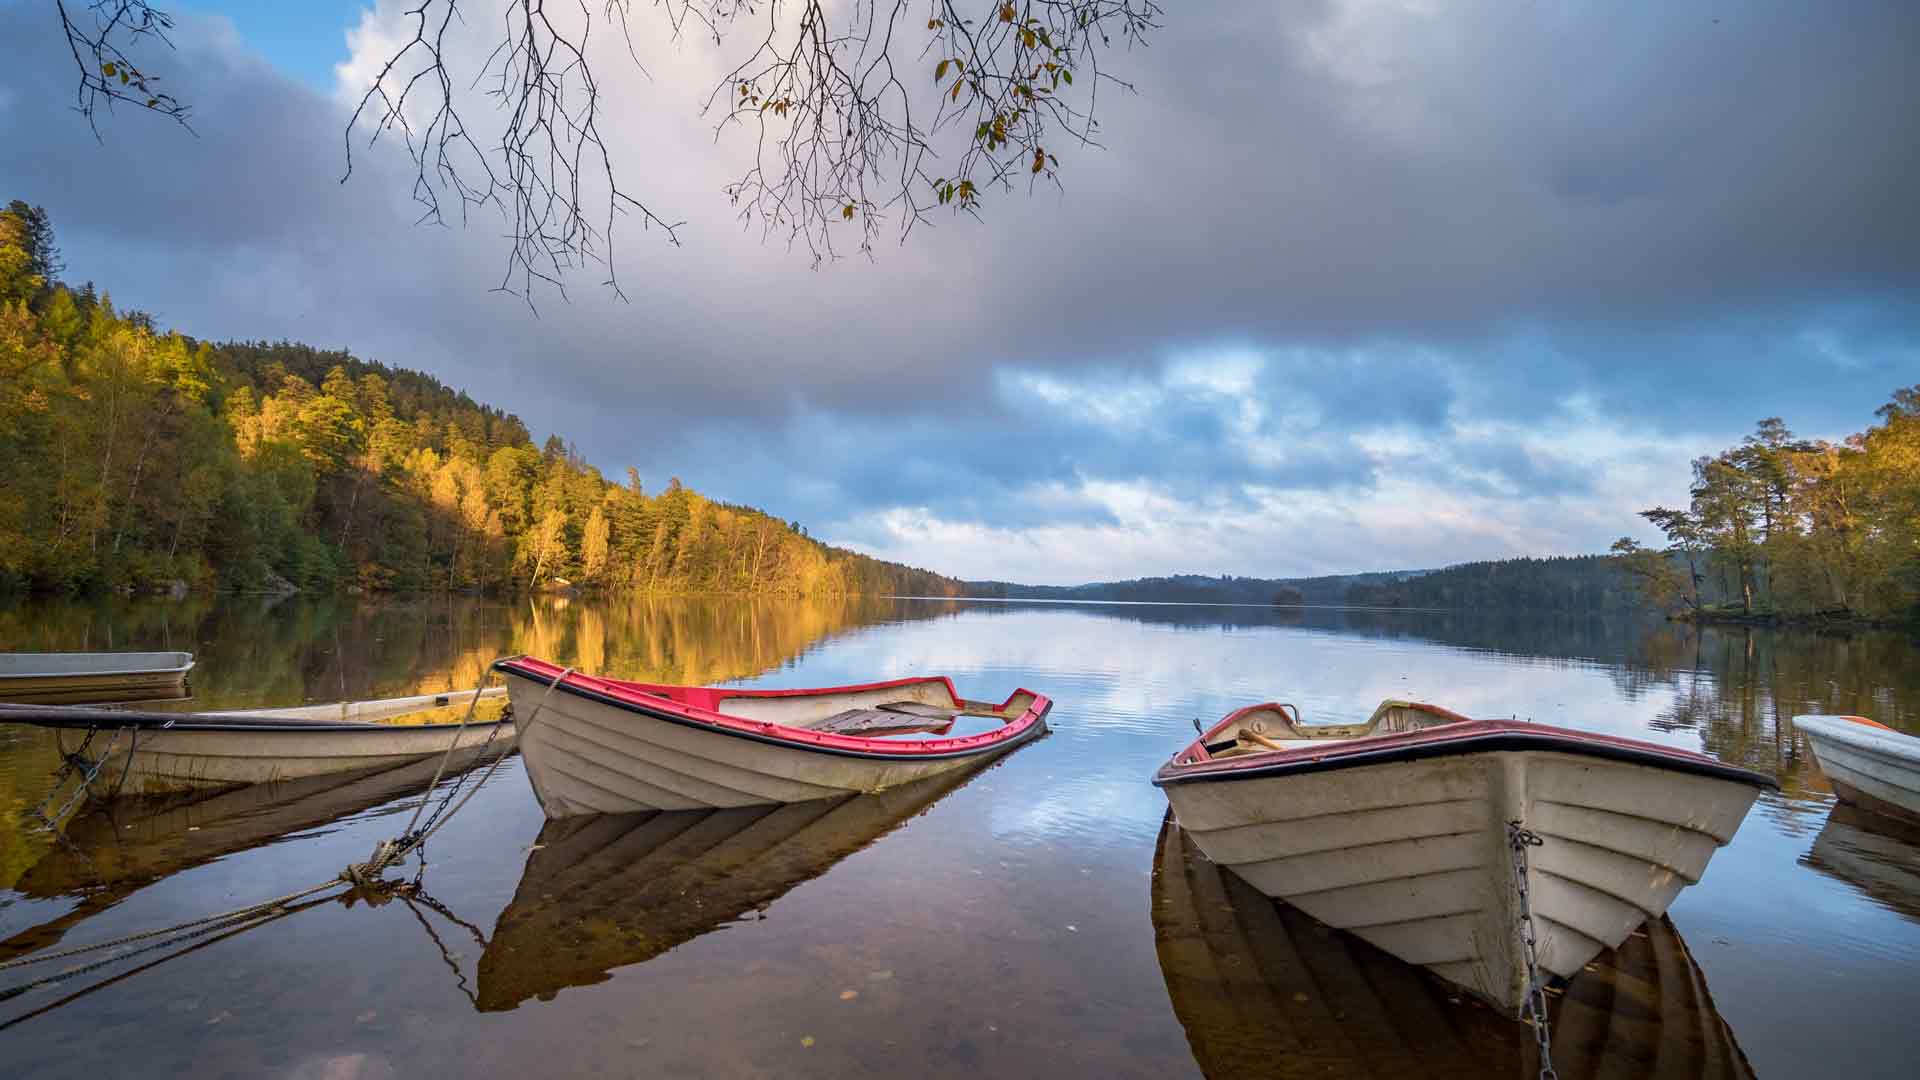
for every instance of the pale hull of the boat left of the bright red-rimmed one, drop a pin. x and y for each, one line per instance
(153, 754)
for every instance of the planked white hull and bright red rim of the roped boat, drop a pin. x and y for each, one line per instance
(602, 749)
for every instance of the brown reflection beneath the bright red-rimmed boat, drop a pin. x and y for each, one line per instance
(615, 891)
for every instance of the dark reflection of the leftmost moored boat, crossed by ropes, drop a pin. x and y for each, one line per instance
(116, 848)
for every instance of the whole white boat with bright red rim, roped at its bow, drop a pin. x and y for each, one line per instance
(613, 747)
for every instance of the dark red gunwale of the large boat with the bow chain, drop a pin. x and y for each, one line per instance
(1449, 741)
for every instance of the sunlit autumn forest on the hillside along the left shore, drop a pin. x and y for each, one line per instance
(135, 458)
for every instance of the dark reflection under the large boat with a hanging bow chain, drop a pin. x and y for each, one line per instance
(1264, 991)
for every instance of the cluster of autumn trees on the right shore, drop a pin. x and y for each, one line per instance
(1794, 529)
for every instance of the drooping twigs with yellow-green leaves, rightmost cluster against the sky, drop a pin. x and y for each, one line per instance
(844, 130)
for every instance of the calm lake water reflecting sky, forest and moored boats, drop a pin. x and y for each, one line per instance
(1026, 921)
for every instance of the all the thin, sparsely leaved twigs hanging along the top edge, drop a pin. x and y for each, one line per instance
(852, 109)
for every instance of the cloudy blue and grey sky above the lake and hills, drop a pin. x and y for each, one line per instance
(1349, 285)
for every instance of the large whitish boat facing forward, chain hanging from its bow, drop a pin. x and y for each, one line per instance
(1399, 831)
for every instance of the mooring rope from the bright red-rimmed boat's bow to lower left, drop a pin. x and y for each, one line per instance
(356, 875)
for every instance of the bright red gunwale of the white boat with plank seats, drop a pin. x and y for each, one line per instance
(646, 700)
